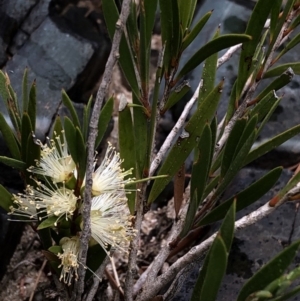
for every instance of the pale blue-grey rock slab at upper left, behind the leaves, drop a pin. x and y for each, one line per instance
(54, 59)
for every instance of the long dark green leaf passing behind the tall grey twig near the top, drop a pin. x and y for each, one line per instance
(111, 16)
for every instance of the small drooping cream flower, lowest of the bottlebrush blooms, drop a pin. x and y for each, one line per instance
(69, 259)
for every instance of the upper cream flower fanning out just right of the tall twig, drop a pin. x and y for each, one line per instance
(109, 176)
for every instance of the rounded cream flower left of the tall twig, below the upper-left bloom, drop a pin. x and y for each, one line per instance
(55, 201)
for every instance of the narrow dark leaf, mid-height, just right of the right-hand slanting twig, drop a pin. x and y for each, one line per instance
(231, 144)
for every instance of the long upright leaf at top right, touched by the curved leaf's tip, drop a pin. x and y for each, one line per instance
(254, 29)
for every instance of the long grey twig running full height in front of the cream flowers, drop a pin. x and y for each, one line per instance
(93, 127)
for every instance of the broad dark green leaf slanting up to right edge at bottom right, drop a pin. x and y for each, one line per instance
(269, 272)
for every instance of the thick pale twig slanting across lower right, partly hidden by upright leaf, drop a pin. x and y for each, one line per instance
(198, 251)
